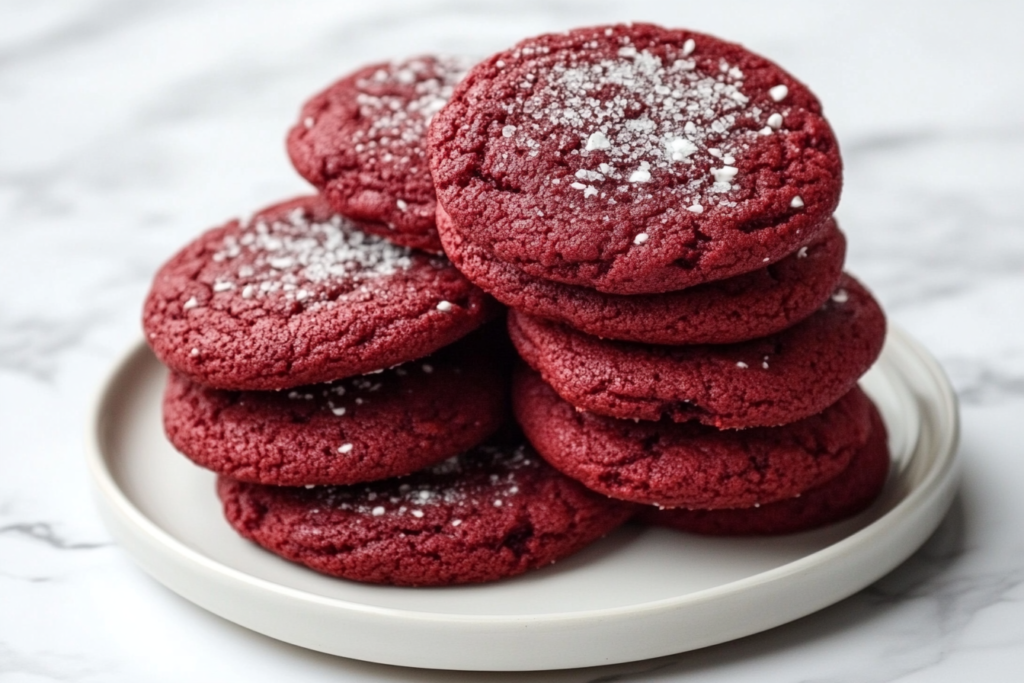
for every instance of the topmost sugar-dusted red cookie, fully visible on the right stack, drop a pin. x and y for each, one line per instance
(634, 159)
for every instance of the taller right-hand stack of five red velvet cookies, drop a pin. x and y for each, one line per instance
(656, 207)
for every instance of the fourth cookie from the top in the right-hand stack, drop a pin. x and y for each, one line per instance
(689, 465)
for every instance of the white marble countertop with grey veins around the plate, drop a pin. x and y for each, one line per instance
(127, 127)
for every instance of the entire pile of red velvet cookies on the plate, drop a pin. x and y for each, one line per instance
(655, 206)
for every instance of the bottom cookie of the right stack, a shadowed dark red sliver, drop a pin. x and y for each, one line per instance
(846, 495)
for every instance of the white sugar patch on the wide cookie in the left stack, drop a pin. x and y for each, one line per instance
(305, 262)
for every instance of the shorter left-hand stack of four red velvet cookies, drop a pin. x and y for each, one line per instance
(317, 358)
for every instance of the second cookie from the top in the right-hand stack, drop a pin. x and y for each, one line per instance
(741, 308)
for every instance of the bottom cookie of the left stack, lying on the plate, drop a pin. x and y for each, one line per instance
(494, 513)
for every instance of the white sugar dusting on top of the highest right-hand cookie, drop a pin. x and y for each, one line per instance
(643, 118)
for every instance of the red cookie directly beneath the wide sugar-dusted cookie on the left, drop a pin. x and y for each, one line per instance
(358, 430)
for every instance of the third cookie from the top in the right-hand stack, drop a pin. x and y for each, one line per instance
(770, 381)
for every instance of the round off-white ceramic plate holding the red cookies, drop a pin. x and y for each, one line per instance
(637, 594)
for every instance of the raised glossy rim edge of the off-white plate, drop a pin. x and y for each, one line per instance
(942, 477)
